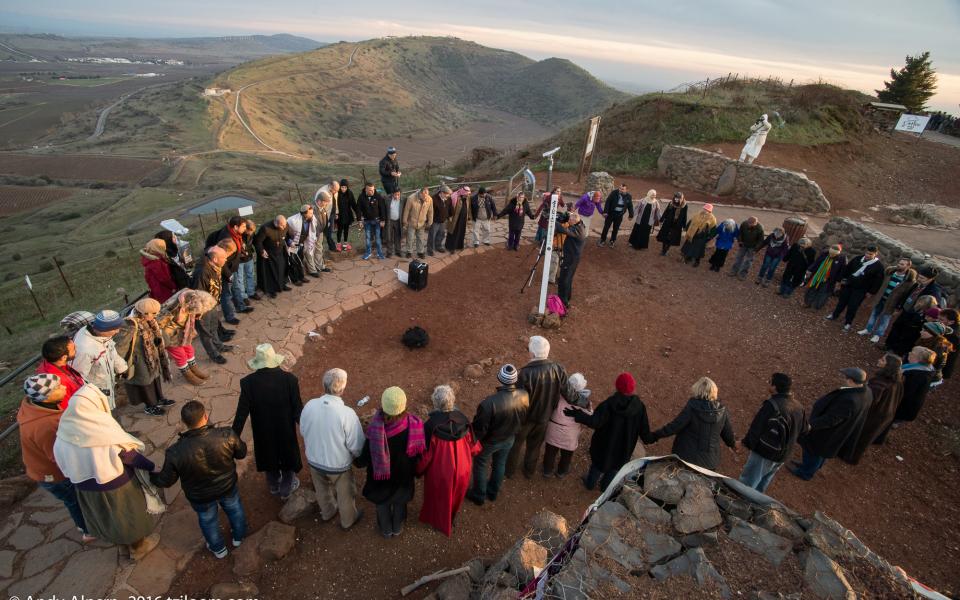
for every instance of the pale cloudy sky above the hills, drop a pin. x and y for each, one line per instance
(633, 44)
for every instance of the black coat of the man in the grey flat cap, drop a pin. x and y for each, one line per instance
(836, 421)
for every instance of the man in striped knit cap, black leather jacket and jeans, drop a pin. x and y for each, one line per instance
(495, 426)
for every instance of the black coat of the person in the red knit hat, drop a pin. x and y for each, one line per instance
(618, 422)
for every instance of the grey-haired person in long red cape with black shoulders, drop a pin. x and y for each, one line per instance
(448, 461)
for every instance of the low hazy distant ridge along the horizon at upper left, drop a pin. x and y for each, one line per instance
(225, 50)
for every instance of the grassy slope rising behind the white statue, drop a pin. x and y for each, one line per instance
(633, 132)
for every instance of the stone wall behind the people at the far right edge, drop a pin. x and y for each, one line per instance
(855, 237)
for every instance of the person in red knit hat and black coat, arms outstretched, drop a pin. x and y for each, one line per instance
(618, 422)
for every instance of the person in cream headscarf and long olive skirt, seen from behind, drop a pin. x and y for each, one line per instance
(106, 466)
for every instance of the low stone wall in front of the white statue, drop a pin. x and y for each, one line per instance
(714, 173)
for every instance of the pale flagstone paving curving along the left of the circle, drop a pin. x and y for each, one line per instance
(40, 549)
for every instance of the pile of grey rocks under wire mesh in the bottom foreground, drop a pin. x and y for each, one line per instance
(671, 532)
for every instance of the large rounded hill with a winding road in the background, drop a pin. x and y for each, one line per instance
(403, 87)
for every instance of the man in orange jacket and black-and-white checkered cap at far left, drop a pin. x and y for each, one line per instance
(39, 418)
